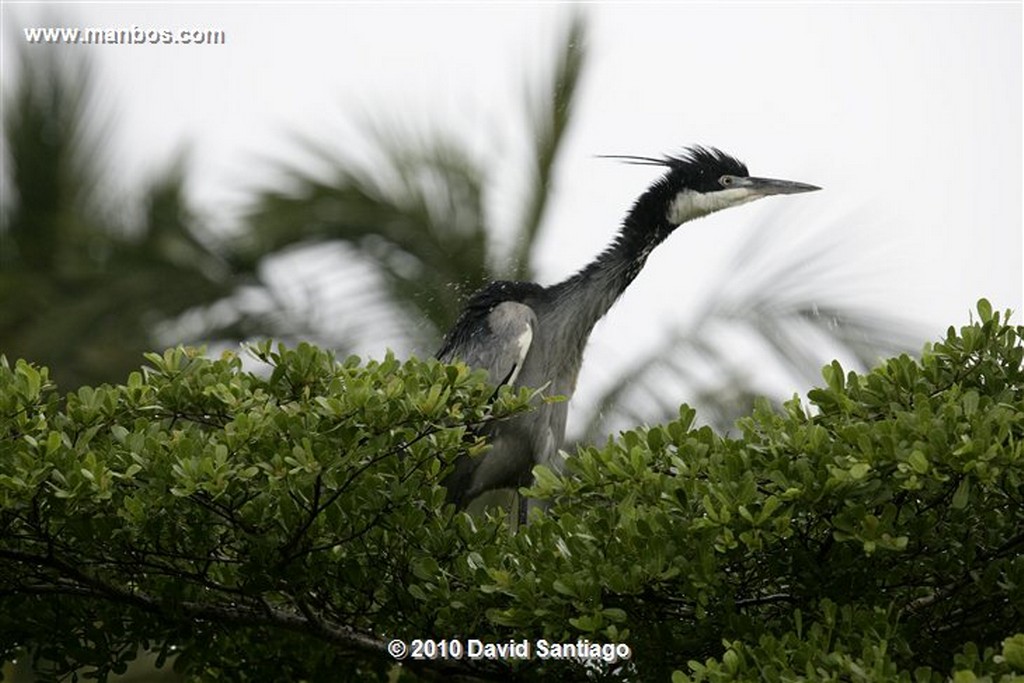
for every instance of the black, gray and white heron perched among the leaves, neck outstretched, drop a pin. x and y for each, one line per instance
(528, 335)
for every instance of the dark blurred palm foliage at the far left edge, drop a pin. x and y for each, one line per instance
(82, 282)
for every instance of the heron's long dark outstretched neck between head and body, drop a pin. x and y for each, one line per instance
(592, 291)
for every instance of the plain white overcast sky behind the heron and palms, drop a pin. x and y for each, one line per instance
(909, 116)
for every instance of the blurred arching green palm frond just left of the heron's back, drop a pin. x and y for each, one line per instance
(416, 214)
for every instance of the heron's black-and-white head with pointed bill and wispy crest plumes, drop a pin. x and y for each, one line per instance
(703, 181)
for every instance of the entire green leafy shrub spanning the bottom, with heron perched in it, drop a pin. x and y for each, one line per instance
(287, 528)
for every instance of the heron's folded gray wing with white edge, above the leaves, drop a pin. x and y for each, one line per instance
(499, 344)
